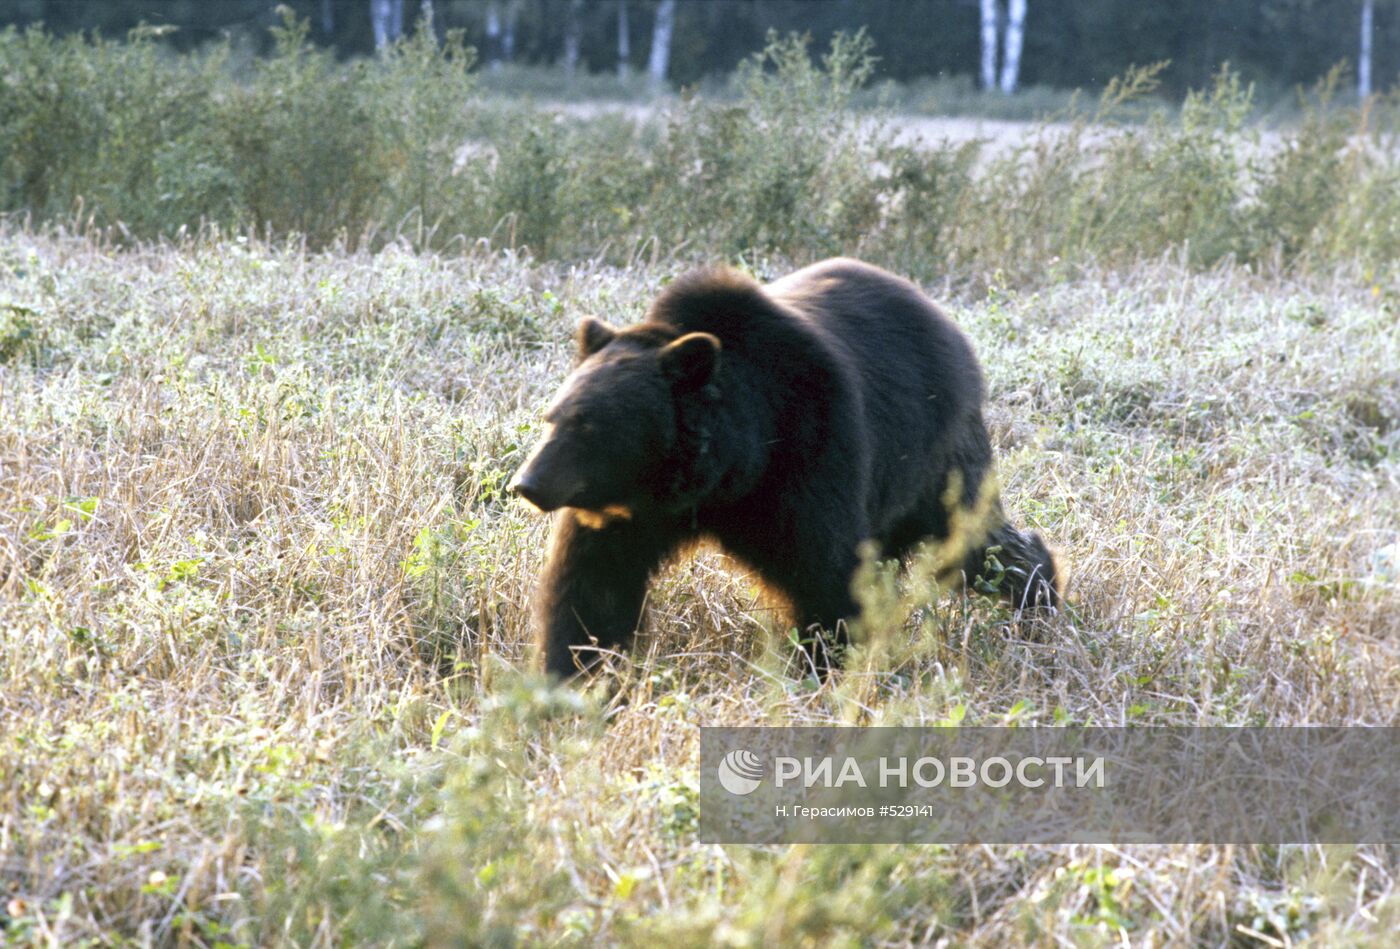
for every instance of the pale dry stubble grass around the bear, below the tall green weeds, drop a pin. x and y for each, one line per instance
(262, 612)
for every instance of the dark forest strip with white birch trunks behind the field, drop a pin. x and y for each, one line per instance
(999, 44)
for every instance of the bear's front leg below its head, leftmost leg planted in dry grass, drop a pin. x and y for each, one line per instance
(594, 586)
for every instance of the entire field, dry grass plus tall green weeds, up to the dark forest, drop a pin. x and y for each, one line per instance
(264, 650)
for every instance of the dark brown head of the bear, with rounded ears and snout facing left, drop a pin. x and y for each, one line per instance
(615, 425)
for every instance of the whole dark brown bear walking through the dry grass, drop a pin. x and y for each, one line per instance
(790, 423)
